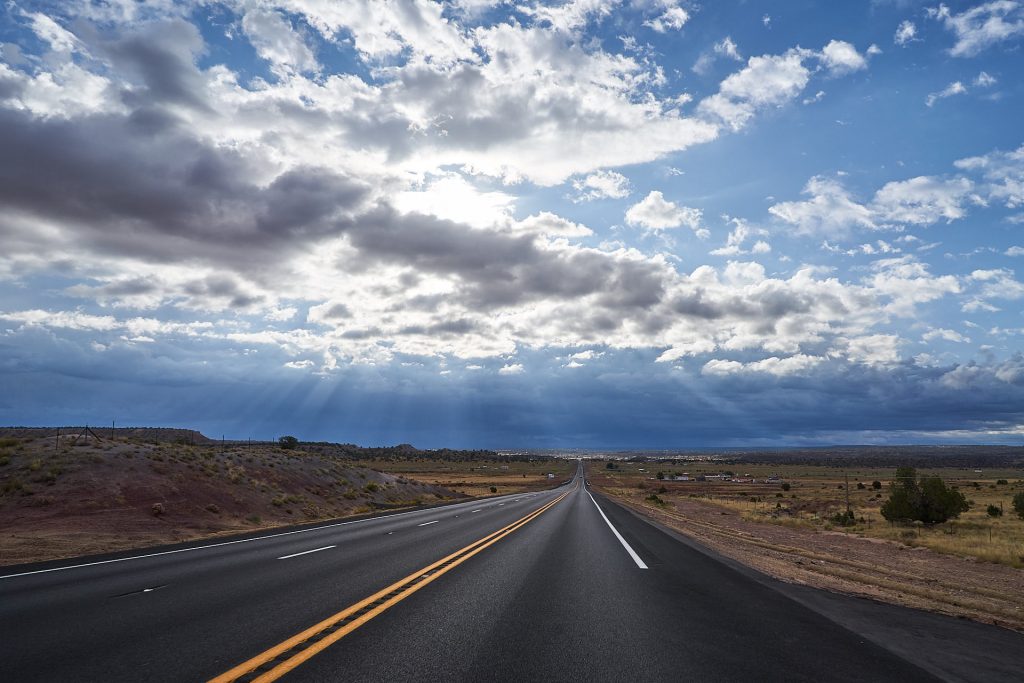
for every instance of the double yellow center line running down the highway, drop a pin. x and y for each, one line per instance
(278, 661)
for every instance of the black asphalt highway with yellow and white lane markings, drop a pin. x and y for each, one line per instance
(558, 586)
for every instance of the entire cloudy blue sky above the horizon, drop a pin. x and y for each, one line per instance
(482, 224)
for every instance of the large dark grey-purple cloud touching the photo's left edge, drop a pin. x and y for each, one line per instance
(124, 190)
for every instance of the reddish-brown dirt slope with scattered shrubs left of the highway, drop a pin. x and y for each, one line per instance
(63, 500)
